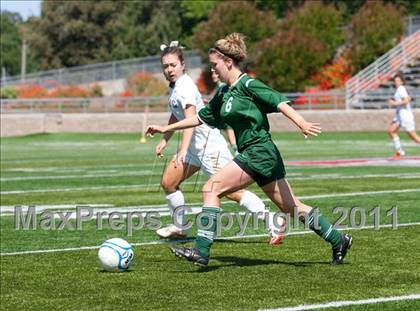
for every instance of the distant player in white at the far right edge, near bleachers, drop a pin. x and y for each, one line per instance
(404, 116)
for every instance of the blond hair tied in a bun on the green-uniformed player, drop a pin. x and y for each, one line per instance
(232, 46)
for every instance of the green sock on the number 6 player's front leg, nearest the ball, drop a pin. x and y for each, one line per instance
(207, 230)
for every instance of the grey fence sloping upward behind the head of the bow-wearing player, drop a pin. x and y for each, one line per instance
(97, 72)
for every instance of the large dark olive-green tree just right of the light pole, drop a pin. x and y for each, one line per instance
(71, 33)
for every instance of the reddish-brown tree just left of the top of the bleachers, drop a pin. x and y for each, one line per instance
(375, 29)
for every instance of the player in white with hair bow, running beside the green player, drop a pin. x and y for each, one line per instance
(202, 148)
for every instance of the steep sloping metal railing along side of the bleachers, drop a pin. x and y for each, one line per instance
(382, 69)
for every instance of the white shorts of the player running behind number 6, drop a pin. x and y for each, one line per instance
(210, 160)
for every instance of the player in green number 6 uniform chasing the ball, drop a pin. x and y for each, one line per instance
(243, 104)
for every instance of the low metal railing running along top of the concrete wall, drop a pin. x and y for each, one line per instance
(301, 101)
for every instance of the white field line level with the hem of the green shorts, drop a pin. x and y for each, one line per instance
(148, 173)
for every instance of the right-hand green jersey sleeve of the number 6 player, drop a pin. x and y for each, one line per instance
(263, 95)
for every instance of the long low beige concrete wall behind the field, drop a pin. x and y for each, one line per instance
(331, 120)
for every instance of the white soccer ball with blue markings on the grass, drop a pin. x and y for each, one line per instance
(116, 255)
